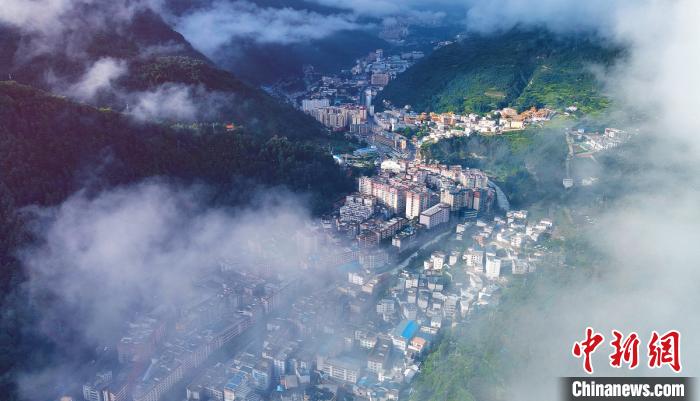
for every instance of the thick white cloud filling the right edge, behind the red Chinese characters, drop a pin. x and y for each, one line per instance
(647, 280)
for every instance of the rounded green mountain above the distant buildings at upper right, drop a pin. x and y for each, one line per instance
(517, 68)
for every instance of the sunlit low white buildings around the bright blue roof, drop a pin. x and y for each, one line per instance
(380, 335)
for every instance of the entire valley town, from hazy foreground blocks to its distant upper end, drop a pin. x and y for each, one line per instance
(251, 336)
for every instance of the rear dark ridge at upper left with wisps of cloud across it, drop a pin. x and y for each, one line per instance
(156, 57)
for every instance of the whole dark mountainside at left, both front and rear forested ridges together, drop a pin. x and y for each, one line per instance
(52, 146)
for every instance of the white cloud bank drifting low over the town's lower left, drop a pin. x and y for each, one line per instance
(147, 245)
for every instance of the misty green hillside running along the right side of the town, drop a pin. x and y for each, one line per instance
(481, 360)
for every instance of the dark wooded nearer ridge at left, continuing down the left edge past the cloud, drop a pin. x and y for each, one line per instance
(51, 147)
